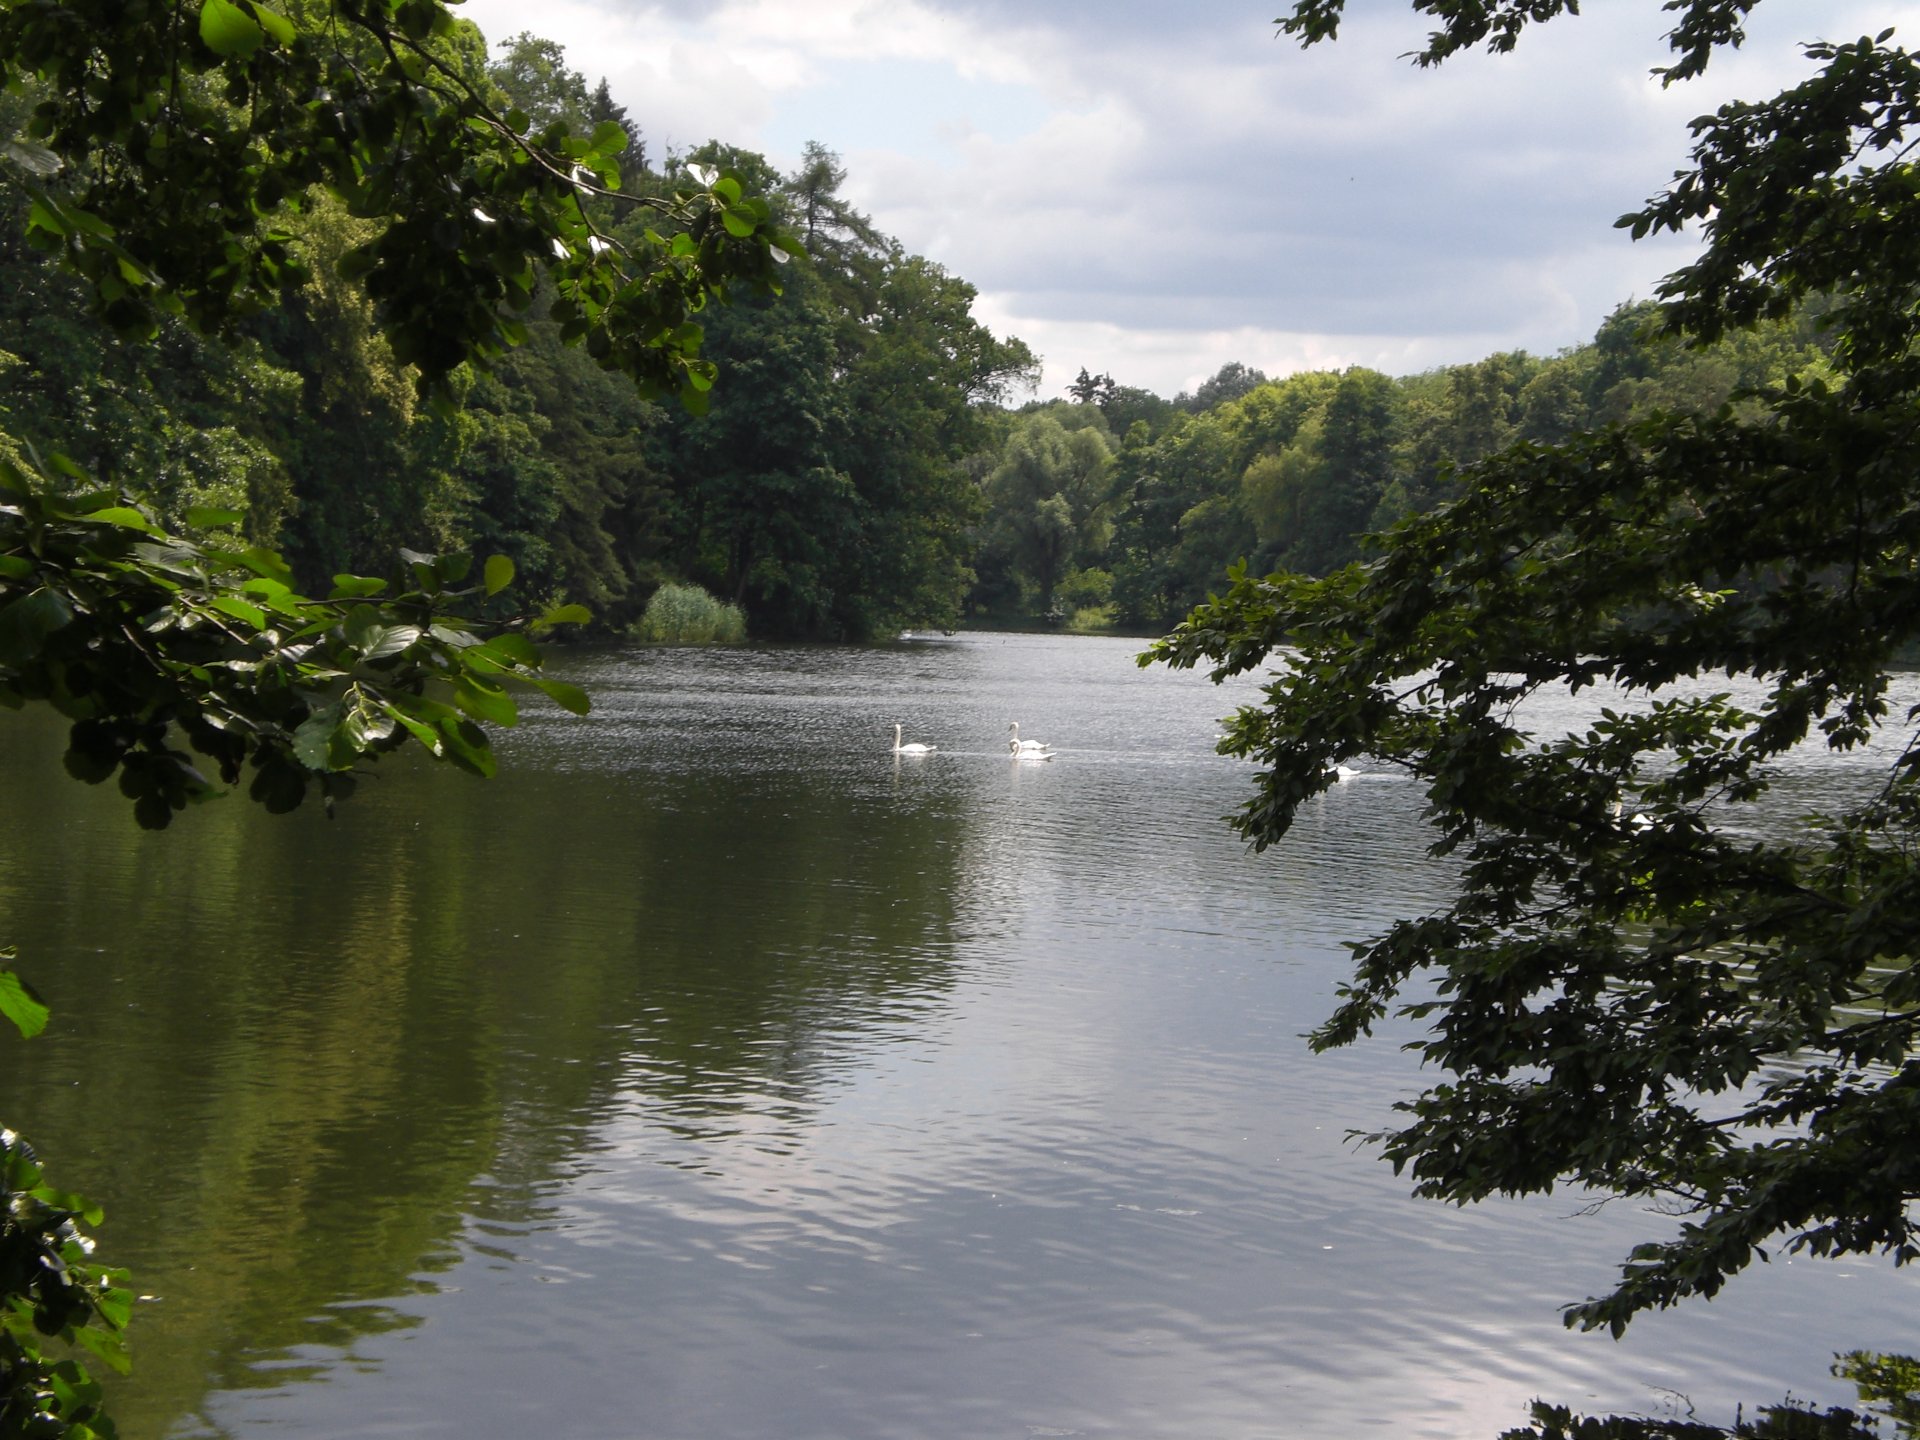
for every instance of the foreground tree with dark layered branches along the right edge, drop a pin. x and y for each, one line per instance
(1648, 984)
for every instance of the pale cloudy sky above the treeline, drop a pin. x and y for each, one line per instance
(1153, 191)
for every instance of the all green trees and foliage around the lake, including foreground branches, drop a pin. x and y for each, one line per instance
(387, 375)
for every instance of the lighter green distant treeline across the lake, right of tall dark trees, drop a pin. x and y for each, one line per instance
(1295, 473)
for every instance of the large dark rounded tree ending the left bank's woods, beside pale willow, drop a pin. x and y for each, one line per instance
(825, 491)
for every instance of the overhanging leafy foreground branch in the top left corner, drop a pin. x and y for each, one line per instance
(187, 216)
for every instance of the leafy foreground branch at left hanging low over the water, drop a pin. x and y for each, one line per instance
(151, 644)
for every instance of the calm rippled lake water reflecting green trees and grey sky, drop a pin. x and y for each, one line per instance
(719, 1074)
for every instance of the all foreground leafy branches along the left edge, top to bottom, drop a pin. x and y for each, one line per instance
(168, 162)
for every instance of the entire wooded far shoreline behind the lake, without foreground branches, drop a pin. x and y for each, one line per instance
(859, 468)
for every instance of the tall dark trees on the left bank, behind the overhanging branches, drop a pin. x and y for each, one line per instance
(817, 489)
